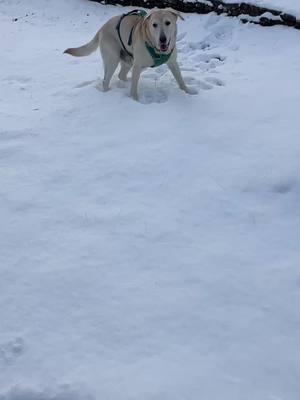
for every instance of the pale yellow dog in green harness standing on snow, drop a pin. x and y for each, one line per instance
(136, 40)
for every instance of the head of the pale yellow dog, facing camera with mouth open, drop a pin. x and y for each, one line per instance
(162, 28)
